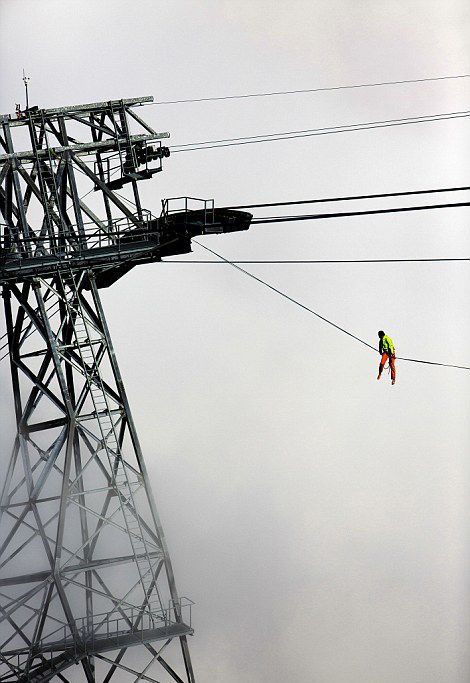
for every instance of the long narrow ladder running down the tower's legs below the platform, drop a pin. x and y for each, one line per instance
(109, 441)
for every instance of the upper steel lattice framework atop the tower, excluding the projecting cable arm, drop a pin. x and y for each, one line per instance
(42, 189)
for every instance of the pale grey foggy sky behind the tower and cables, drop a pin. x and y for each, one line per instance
(318, 518)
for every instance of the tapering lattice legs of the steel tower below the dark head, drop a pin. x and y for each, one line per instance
(75, 500)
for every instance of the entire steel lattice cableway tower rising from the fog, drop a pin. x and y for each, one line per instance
(85, 573)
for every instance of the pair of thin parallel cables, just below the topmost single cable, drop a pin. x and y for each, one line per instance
(311, 132)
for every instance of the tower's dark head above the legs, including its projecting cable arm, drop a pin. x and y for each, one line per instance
(103, 147)
